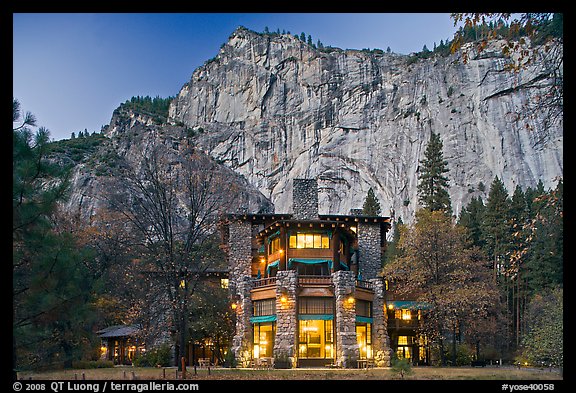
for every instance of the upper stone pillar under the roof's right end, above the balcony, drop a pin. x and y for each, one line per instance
(370, 258)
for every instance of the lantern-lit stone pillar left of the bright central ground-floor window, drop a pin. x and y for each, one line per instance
(286, 317)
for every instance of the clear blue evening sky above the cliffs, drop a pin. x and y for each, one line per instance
(72, 70)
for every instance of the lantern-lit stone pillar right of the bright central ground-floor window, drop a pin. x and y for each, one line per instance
(347, 351)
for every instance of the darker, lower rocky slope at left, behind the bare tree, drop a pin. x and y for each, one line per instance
(131, 138)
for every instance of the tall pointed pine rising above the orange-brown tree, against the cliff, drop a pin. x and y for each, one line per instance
(433, 185)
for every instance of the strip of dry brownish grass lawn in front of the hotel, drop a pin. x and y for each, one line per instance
(418, 373)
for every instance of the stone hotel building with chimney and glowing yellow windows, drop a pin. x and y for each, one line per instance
(306, 287)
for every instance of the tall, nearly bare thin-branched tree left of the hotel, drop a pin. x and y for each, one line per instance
(171, 205)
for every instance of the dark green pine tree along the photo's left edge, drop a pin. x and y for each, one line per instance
(51, 282)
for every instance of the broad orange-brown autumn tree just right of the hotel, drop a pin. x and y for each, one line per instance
(437, 266)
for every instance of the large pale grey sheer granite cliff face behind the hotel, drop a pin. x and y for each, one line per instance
(272, 108)
